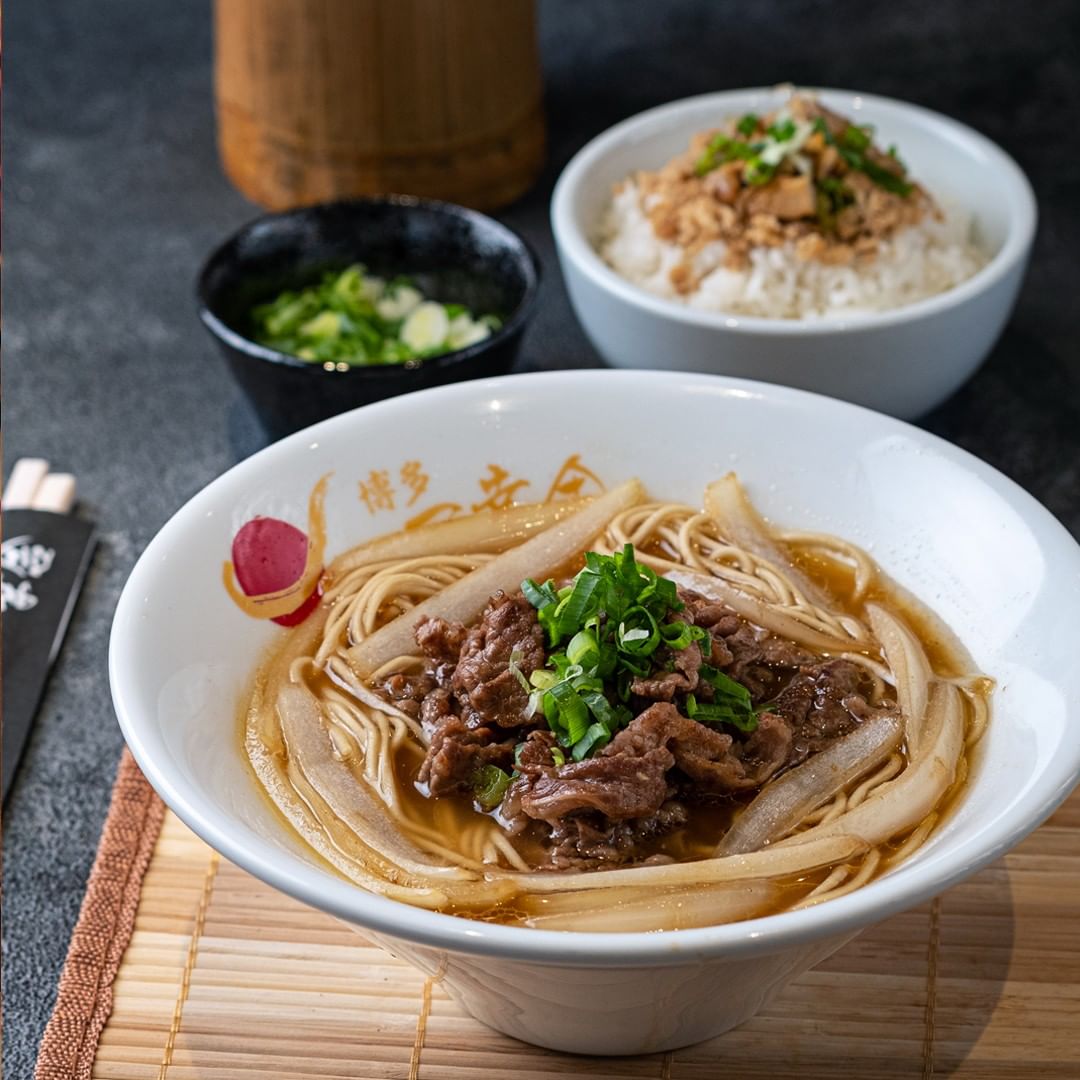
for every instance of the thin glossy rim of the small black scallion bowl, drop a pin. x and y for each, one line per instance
(514, 325)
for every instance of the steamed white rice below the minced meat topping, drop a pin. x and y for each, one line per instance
(916, 263)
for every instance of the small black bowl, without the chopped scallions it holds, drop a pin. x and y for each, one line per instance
(454, 255)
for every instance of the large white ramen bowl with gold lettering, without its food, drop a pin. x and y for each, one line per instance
(995, 565)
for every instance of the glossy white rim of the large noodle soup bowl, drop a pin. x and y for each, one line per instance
(913, 884)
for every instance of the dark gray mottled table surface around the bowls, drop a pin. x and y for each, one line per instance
(114, 195)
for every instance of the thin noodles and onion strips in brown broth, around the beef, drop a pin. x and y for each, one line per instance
(341, 761)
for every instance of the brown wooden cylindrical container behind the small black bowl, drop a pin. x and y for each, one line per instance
(326, 99)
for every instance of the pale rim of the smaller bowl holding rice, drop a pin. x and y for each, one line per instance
(577, 248)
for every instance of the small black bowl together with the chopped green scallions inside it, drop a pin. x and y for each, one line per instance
(271, 293)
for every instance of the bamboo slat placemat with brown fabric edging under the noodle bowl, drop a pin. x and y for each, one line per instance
(208, 974)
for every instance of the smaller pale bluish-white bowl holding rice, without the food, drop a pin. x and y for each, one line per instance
(904, 361)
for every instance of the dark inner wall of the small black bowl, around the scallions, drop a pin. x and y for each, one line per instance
(453, 254)
